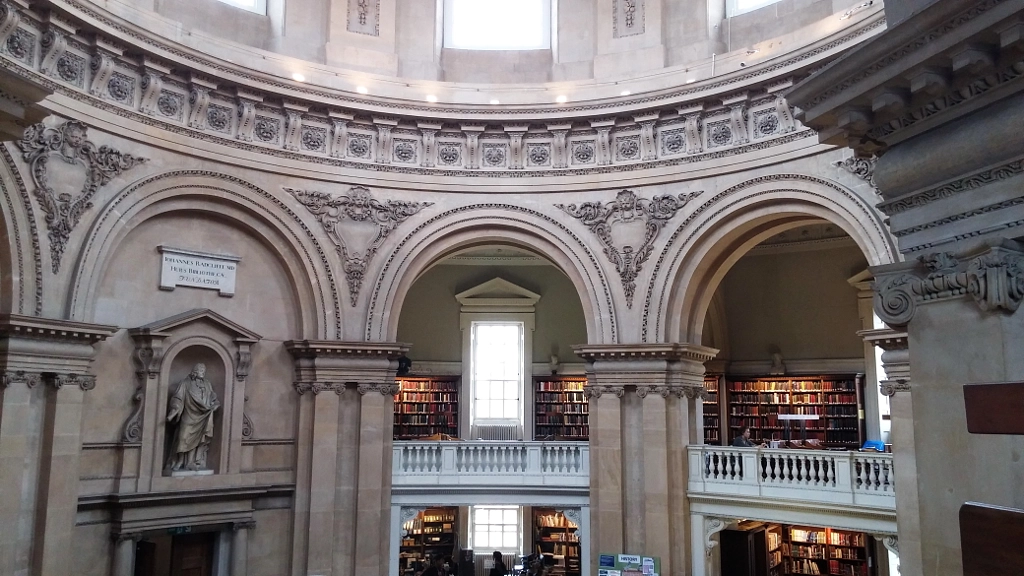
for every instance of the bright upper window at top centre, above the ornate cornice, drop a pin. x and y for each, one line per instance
(498, 25)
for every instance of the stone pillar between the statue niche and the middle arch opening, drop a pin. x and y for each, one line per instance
(345, 456)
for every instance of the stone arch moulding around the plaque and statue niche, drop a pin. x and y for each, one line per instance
(243, 204)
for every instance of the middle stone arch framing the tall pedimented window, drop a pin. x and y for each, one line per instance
(480, 224)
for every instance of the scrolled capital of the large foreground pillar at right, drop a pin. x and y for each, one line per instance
(994, 276)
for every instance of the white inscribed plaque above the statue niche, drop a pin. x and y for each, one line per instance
(197, 270)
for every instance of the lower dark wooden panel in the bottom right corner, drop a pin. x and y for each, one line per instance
(991, 539)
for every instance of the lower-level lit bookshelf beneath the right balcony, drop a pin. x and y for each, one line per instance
(825, 551)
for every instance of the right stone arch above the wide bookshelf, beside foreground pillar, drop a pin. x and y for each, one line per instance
(727, 227)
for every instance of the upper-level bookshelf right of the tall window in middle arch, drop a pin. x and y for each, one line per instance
(561, 408)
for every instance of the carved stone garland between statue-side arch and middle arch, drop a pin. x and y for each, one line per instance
(358, 207)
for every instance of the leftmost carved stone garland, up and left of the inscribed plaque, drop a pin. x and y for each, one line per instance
(69, 143)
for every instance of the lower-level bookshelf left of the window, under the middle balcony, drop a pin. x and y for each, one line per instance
(433, 532)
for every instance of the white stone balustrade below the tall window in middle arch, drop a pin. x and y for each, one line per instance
(491, 464)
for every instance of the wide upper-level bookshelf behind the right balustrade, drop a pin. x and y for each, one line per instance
(836, 400)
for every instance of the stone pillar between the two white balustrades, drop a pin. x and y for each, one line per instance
(644, 415)
